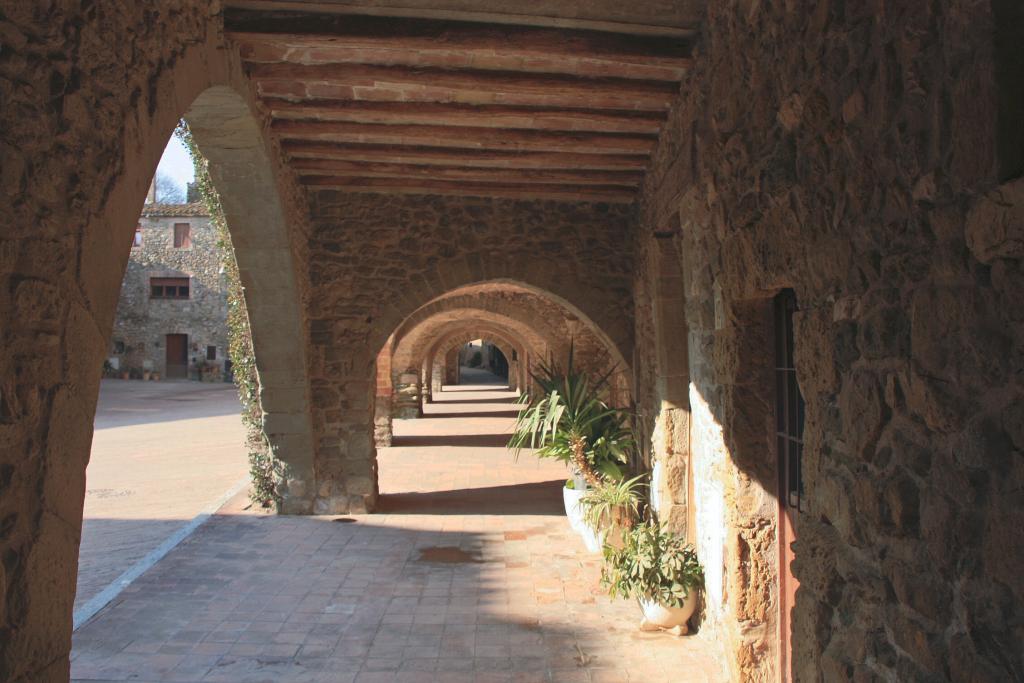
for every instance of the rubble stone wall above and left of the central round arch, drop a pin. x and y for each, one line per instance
(376, 260)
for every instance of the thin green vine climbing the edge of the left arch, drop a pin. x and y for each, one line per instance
(264, 468)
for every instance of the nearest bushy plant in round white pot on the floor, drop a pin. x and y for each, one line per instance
(658, 569)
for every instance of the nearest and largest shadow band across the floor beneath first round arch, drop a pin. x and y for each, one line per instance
(542, 498)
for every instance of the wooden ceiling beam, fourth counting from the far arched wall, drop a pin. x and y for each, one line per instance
(454, 137)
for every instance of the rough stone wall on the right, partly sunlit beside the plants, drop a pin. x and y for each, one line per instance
(848, 151)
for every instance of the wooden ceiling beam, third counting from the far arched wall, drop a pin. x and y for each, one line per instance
(395, 154)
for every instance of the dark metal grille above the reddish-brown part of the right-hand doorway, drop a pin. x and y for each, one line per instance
(789, 406)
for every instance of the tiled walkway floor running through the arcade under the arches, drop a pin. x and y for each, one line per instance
(471, 575)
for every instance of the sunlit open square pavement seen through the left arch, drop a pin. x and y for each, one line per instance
(162, 453)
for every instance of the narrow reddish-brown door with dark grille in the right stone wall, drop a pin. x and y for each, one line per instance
(790, 445)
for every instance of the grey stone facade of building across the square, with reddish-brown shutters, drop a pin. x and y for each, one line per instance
(143, 323)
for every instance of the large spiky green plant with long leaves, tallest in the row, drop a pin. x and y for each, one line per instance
(569, 421)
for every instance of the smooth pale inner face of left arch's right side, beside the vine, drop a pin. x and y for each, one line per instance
(241, 168)
